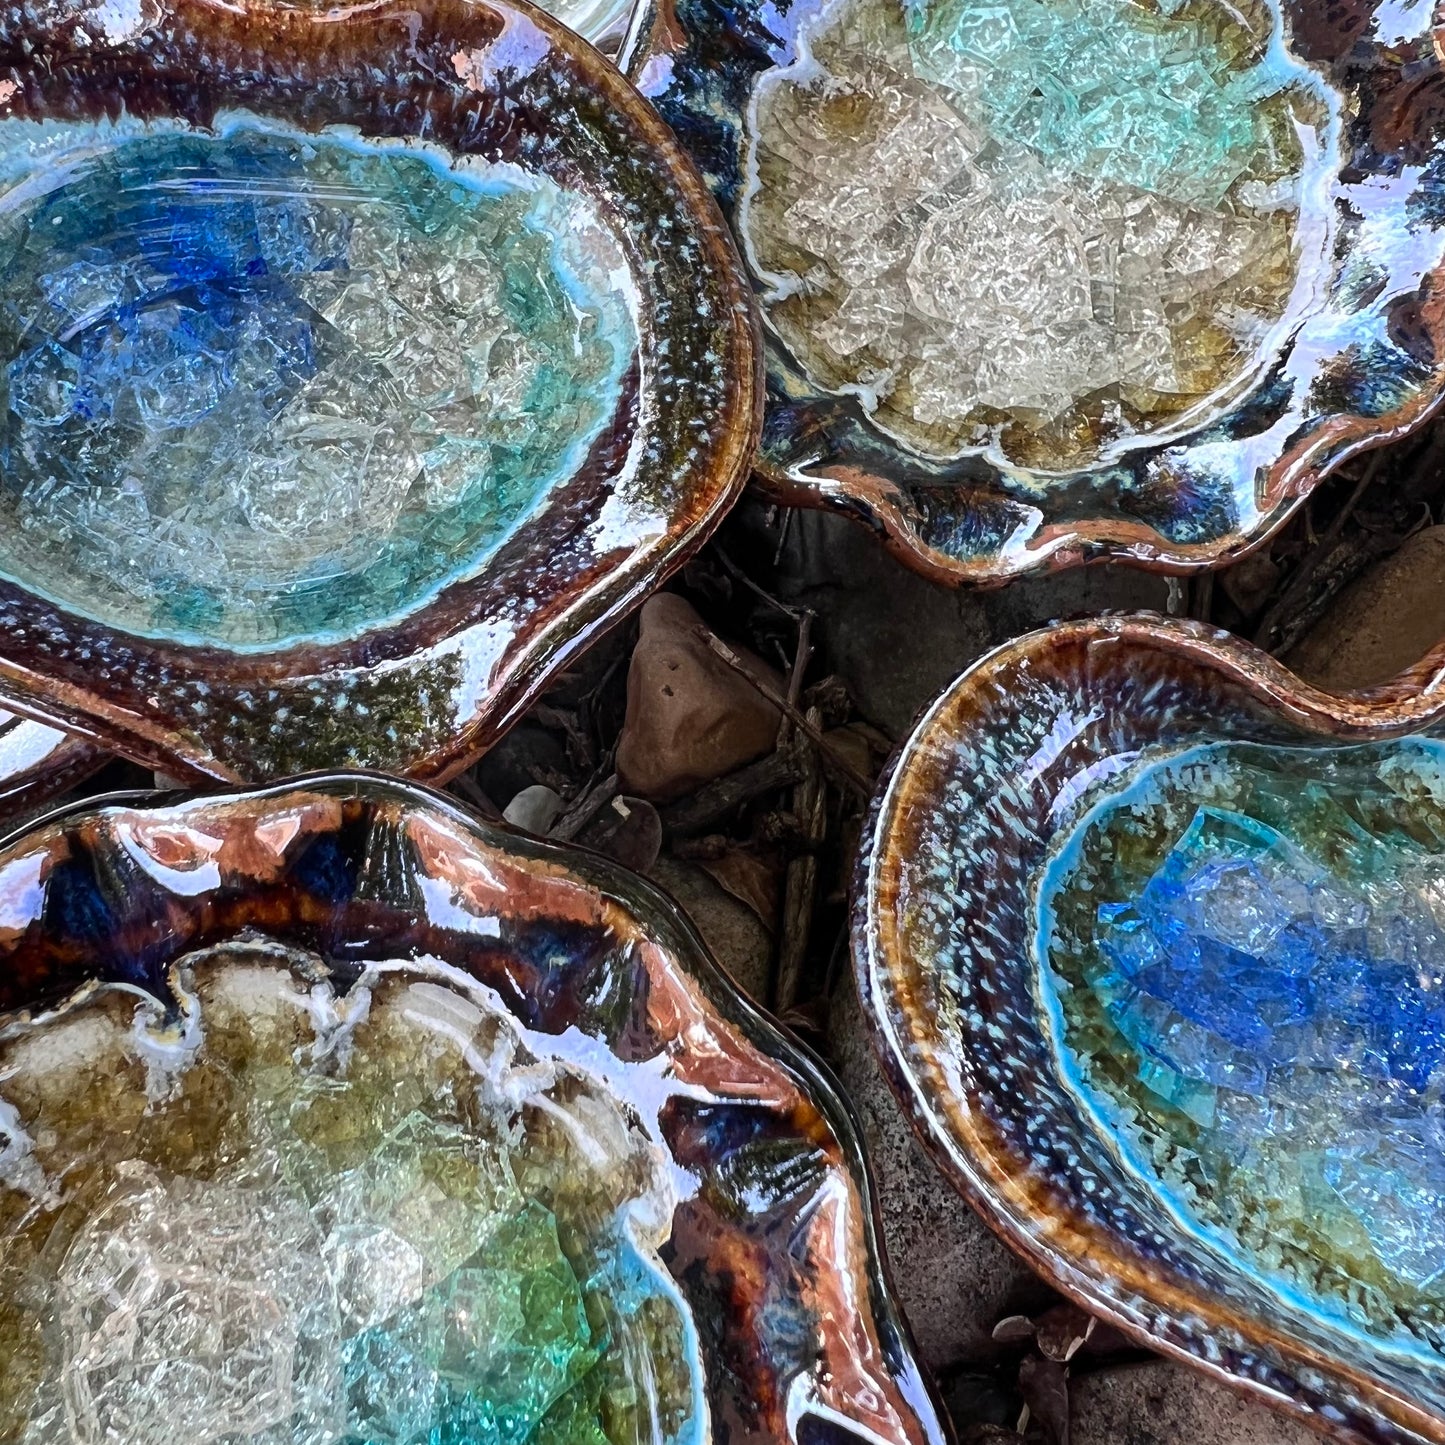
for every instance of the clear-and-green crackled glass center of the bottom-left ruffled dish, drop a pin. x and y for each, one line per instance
(298, 1219)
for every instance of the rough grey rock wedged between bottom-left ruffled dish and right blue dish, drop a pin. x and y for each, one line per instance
(953, 1280)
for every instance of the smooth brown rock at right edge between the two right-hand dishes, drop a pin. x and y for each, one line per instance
(1381, 625)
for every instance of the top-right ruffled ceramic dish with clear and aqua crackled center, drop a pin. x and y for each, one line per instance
(1048, 284)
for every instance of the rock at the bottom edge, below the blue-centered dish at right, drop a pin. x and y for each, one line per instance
(1164, 1404)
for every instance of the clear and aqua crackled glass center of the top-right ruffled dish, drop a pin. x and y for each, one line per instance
(1050, 225)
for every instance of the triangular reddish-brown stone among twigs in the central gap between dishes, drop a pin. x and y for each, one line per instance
(690, 717)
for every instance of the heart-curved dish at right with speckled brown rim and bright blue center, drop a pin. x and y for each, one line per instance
(1149, 937)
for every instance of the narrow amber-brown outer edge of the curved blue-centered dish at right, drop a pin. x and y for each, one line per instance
(1030, 1215)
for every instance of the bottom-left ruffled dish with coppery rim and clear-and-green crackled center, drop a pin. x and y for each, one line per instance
(395, 1126)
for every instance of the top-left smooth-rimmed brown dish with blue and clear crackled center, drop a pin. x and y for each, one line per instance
(359, 368)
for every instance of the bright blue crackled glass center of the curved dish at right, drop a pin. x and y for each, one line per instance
(1246, 953)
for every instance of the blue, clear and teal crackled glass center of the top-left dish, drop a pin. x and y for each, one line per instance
(264, 388)
